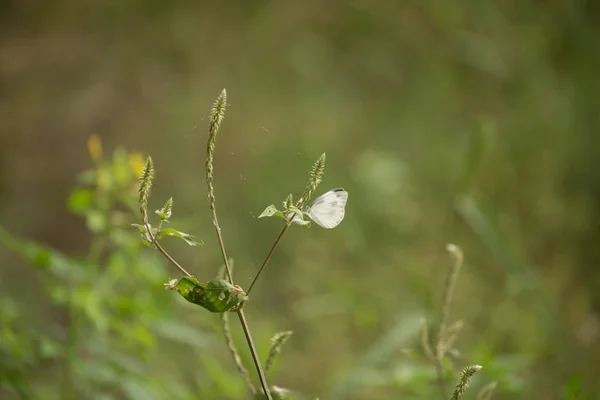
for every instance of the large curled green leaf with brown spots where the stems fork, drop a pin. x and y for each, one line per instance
(216, 296)
